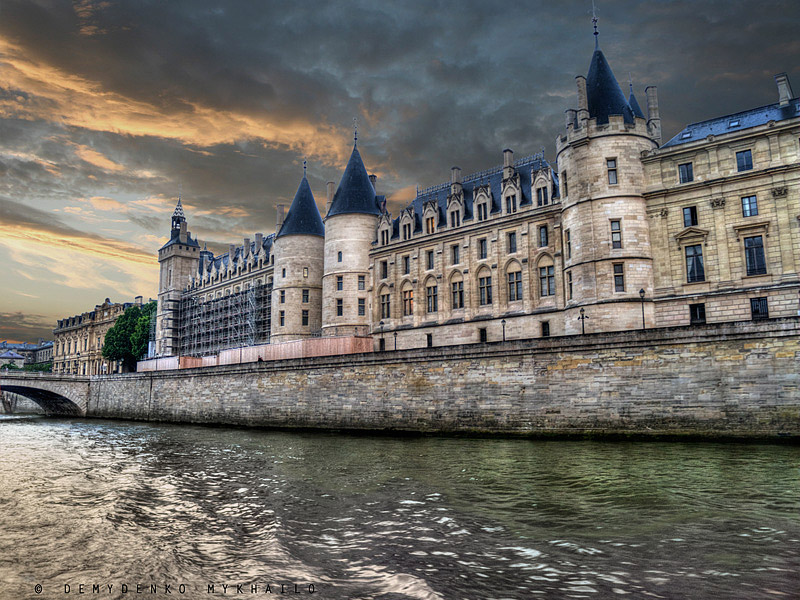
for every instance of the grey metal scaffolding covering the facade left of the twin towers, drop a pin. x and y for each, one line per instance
(233, 321)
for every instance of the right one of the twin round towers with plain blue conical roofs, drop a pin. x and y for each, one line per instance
(350, 227)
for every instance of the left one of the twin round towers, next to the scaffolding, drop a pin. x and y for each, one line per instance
(297, 281)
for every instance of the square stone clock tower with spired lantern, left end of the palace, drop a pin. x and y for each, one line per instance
(178, 262)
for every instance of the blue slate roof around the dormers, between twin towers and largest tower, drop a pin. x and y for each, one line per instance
(470, 184)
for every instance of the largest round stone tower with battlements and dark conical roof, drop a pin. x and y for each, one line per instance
(606, 238)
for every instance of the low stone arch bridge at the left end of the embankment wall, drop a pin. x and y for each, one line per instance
(56, 394)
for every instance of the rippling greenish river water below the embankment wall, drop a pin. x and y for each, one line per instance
(86, 502)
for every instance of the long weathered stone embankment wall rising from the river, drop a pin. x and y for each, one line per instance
(732, 379)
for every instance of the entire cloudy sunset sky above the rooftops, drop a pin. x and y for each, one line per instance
(109, 109)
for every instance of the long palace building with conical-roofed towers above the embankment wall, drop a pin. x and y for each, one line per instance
(621, 230)
